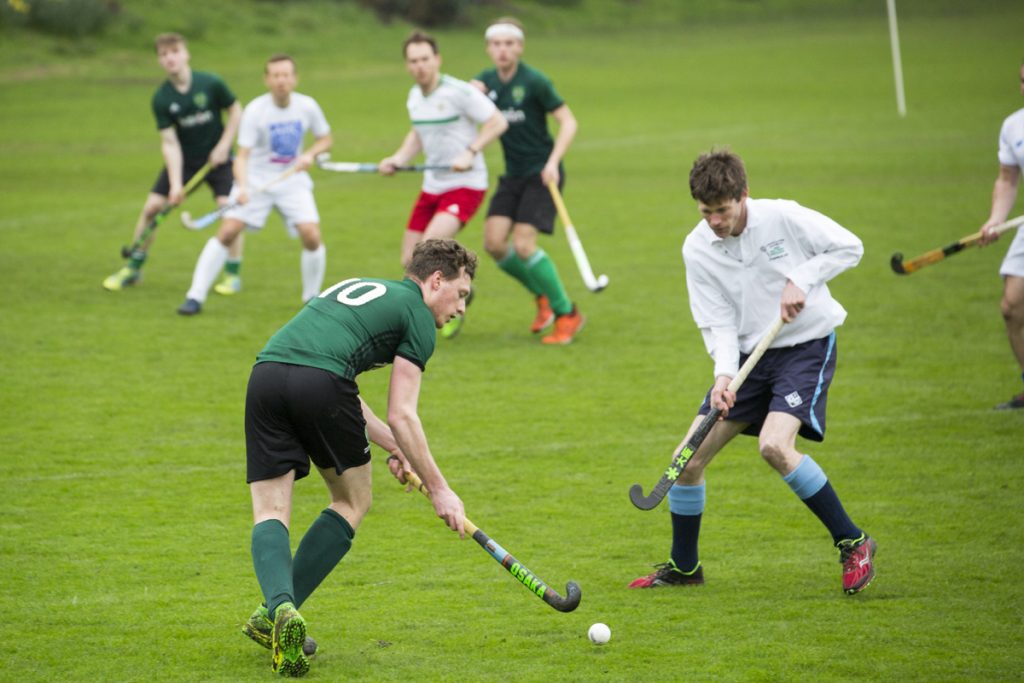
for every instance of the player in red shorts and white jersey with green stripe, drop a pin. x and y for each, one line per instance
(453, 122)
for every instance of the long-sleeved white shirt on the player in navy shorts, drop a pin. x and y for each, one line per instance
(736, 284)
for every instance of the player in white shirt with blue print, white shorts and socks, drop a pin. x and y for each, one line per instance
(271, 137)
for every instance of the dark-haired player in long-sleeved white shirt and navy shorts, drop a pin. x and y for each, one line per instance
(749, 263)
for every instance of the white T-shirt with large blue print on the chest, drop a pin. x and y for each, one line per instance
(275, 135)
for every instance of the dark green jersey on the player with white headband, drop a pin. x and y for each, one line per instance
(526, 102)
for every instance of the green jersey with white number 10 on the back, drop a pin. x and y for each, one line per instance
(358, 325)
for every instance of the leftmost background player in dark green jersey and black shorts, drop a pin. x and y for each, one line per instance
(189, 108)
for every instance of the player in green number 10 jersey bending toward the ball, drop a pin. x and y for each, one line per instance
(303, 404)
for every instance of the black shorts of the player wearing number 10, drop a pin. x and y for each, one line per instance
(295, 414)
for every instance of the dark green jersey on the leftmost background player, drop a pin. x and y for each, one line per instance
(196, 114)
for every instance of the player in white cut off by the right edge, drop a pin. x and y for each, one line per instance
(1004, 197)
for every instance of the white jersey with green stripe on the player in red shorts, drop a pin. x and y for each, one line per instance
(446, 120)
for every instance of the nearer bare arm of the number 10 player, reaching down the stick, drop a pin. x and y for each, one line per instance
(404, 394)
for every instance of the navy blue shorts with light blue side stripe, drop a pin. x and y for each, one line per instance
(793, 380)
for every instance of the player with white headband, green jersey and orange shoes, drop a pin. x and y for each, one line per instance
(523, 206)
